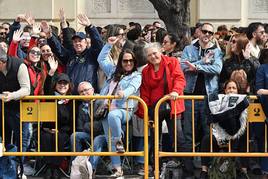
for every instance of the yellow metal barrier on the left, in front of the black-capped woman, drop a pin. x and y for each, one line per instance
(47, 112)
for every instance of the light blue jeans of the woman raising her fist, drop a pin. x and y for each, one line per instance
(115, 120)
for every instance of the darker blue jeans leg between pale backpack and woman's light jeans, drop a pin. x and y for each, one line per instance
(99, 144)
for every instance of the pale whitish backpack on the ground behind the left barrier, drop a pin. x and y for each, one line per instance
(81, 168)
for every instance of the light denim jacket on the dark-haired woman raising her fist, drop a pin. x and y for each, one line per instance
(130, 84)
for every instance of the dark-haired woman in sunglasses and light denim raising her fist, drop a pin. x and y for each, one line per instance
(123, 80)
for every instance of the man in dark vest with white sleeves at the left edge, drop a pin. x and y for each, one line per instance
(14, 84)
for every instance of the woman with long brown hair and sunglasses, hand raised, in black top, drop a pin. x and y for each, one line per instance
(239, 64)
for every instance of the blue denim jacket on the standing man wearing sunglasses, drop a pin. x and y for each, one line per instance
(211, 68)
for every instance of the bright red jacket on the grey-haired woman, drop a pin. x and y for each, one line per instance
(175, 81)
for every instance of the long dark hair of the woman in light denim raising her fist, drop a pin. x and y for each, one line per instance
(119, 71)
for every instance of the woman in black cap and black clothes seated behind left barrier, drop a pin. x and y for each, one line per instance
(61, 87)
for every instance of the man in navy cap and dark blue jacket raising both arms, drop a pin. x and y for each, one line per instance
(81, 61)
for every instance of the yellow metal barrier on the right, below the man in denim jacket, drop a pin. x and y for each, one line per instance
(255, 114)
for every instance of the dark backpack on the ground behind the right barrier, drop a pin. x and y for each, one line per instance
(222, 168)
